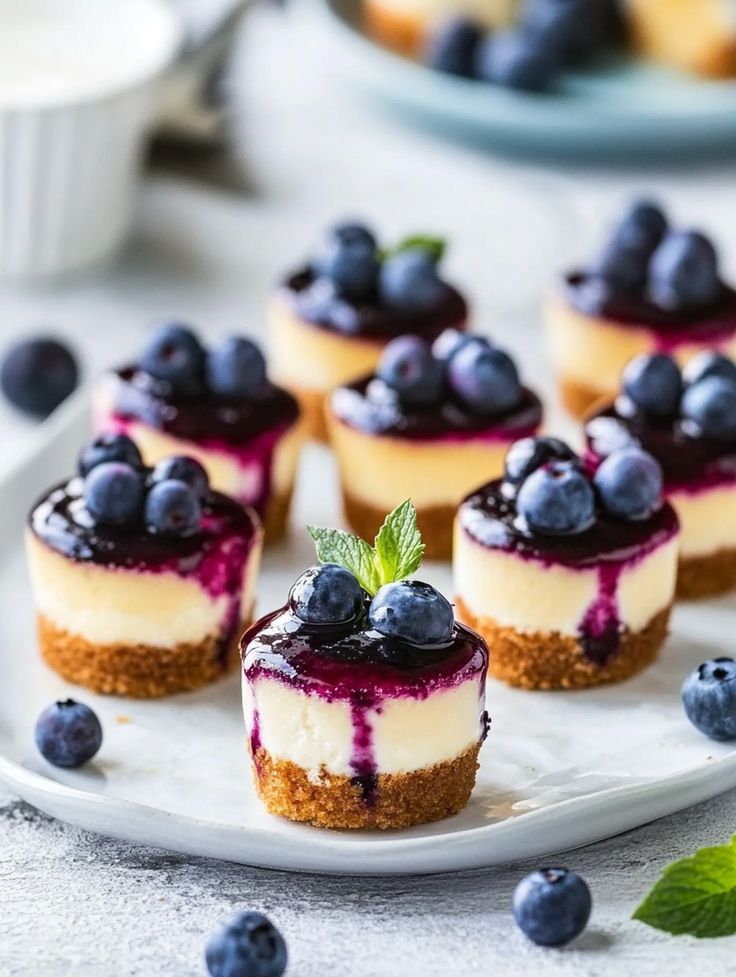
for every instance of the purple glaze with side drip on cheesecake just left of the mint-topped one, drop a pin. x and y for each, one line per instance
(215, 557)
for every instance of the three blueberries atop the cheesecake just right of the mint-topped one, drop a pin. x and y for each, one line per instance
(555, 496)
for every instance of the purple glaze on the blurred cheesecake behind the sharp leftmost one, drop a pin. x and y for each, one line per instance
(245, 428)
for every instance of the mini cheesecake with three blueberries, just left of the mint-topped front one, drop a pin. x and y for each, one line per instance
(143, 579)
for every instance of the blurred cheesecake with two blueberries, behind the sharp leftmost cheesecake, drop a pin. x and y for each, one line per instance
(215, 405)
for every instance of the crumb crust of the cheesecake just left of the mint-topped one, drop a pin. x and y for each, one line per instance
(137, 671)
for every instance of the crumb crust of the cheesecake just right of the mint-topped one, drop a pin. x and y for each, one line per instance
(549, 660)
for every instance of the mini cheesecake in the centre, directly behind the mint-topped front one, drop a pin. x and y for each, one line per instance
(433, 422)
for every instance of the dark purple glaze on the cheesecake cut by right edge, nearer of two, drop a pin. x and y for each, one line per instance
(690, 463)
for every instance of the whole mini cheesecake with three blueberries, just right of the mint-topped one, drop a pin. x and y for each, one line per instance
(569, 577)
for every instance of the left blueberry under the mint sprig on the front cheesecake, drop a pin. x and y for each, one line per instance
(327, 594)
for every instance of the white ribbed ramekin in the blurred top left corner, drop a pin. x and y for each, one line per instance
(71, 135)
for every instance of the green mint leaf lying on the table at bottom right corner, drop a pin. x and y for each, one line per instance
(696, 895)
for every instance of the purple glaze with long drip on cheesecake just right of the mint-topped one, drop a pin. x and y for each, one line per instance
(609, 547)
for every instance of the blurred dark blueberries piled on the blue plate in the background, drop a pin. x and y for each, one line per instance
(552, 35)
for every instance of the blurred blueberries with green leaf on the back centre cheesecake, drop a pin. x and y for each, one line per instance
(351, 269)
